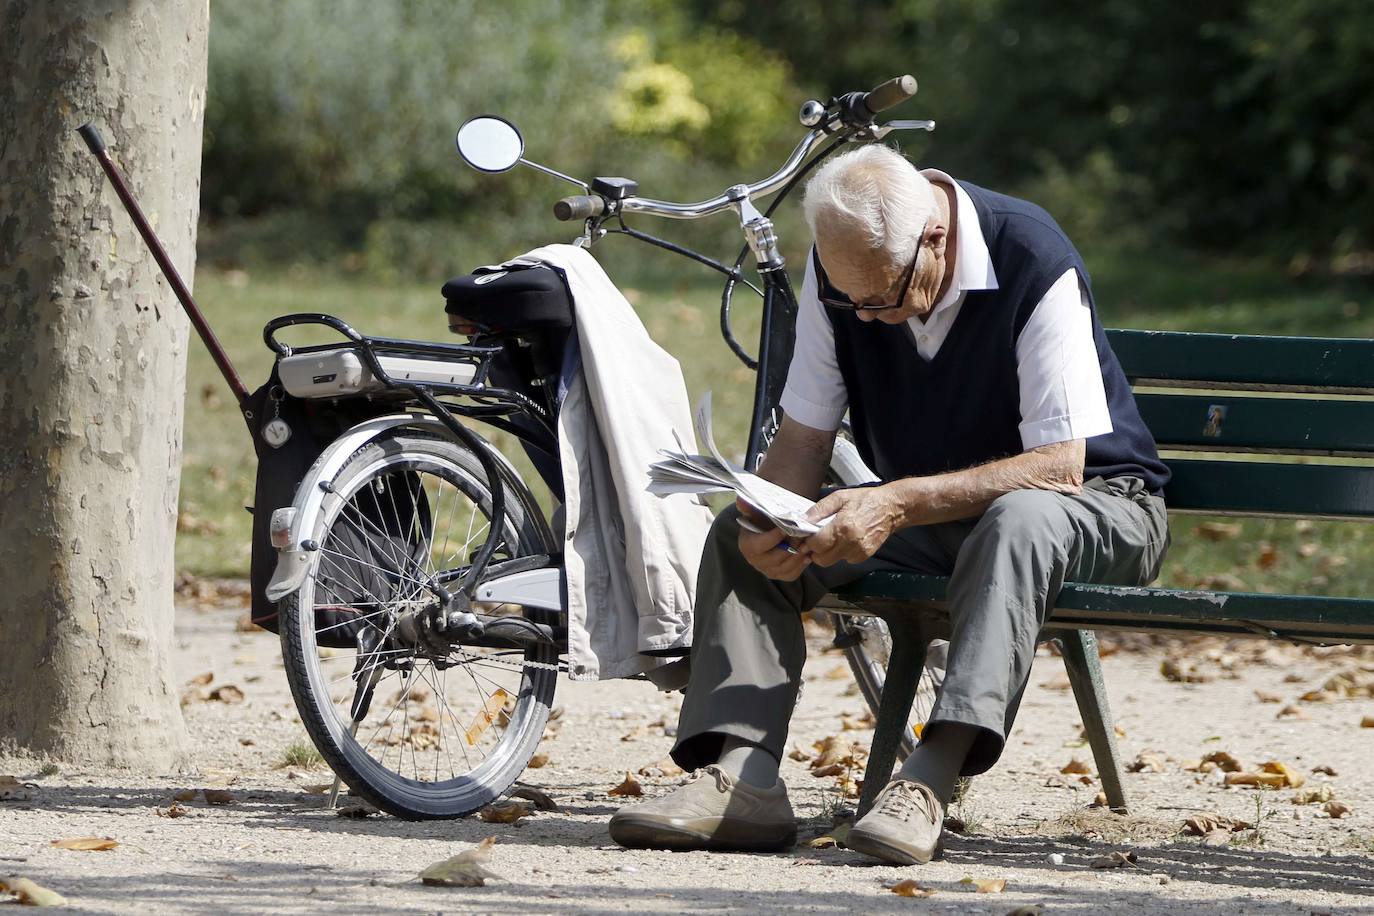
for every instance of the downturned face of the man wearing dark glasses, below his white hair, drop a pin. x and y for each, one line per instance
(872, 279)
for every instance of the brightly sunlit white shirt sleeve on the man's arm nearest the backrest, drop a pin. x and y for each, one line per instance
(1063, 396)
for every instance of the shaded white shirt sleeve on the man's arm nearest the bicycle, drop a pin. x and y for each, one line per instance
(815, 393)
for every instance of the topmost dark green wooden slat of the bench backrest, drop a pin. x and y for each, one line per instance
(1255, 362)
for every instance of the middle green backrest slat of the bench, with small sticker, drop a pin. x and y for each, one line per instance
(1222, 421)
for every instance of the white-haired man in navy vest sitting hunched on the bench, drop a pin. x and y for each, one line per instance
(957, 328)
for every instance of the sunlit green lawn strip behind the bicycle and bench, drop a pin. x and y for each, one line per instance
(1169, 292)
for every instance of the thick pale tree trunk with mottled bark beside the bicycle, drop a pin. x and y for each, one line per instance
(93, 373)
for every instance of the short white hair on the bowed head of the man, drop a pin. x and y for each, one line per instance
(873, 197)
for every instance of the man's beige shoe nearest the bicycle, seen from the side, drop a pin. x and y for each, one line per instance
(714, 811)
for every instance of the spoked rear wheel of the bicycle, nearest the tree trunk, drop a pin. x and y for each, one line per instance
(420, 733)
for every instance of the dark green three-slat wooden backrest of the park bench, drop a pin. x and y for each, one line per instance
(1251, 425)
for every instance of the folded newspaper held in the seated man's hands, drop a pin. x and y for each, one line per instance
(684, 473)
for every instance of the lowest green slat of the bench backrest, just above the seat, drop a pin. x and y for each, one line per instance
(1250, 488)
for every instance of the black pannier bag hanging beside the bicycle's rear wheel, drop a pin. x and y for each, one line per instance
(358, 571)
